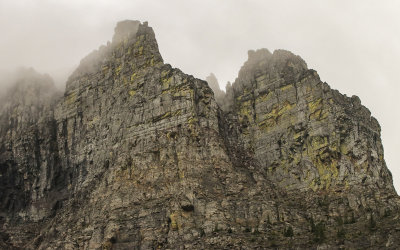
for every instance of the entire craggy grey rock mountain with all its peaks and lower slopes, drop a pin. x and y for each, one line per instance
(138, 155)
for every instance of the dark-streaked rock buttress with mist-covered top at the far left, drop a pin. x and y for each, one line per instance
(29, 160)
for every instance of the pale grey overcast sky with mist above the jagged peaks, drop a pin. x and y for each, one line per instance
(353, 45)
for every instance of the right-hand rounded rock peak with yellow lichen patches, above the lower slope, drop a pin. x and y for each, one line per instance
(302, 133)
